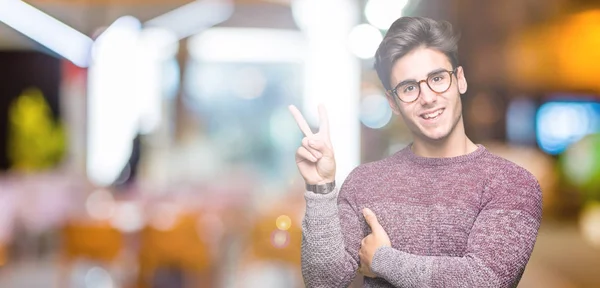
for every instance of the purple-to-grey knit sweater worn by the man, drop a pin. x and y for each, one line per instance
(465, 221)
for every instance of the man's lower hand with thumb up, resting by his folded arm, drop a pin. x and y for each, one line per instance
(370, 244)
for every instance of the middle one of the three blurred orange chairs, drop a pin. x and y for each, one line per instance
(177, 249)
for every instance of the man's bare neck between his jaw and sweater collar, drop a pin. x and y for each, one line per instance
(456, 144)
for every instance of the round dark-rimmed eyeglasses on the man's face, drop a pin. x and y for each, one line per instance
(438, 82)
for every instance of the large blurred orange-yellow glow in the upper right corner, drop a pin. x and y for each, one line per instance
(562, 55)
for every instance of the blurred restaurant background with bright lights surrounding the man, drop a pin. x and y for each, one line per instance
(148, 143)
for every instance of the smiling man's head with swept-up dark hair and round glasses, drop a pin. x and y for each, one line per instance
(417, 62)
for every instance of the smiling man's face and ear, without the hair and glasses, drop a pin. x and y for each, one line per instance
(423, 116)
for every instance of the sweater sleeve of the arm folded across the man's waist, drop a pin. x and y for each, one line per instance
(498, 248)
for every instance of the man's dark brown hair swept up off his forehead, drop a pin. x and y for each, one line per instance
(409, 33)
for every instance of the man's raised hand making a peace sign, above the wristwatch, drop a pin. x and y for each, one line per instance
(314, 158)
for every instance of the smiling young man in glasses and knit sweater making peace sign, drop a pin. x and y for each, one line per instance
(442, 212)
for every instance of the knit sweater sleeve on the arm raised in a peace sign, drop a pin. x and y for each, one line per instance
(331, 235)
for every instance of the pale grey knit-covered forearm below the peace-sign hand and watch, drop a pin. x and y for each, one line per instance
(325, 261)
